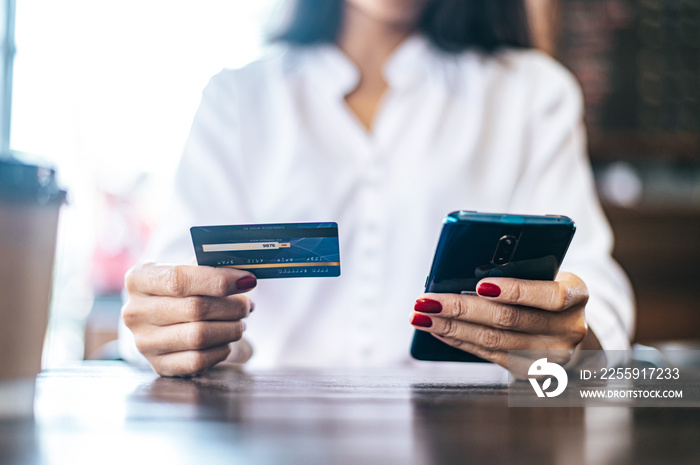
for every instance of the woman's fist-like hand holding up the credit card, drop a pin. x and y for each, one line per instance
(184, 317)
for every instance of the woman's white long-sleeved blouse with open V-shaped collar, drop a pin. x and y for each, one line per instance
(274, 142)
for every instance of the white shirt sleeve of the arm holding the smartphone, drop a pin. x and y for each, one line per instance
(558, 180)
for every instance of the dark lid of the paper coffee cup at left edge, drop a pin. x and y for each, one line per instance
(26, 182)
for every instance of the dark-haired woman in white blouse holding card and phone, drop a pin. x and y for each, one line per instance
(381, 115)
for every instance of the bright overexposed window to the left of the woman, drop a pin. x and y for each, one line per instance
(105, 91)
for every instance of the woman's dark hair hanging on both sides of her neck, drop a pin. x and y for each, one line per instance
(451, 25)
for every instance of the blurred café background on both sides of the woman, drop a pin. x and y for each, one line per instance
(106, 90)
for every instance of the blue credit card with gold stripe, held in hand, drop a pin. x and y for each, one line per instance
(291, 250)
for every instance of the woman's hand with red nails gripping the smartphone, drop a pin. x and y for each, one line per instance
(508, 314)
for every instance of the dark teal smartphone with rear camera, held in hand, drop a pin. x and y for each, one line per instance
(474, 246)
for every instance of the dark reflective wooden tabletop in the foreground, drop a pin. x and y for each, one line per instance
(108, 412)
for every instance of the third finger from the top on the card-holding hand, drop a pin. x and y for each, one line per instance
(189, 336)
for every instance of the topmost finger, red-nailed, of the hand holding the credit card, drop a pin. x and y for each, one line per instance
(186, 280)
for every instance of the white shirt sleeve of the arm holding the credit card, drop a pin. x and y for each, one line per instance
(209, 186)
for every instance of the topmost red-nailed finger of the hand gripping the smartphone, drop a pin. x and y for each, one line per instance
(565, 292)
